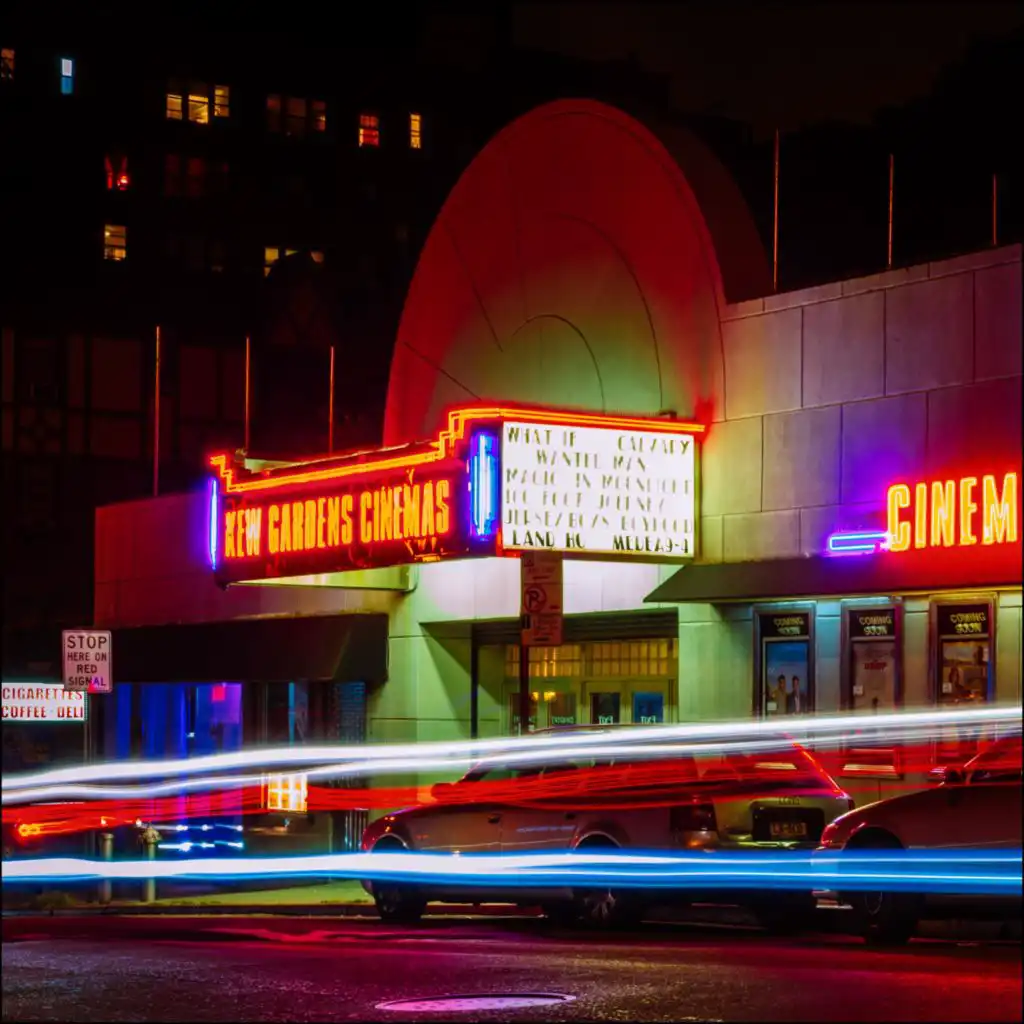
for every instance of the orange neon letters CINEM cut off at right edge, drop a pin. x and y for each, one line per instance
(952, 514)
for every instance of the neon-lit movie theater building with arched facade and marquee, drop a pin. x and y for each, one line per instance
(765, 504)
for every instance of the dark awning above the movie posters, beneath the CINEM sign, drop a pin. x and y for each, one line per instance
(845, 576)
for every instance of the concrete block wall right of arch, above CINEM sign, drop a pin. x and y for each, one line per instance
(833, 393)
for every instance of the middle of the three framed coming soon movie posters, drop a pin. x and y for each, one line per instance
(873, 685)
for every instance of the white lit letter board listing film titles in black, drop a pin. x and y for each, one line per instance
(599, 491)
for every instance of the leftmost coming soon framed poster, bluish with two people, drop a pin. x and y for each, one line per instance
(785, 663)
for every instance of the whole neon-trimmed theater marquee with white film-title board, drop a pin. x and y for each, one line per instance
(495, 482)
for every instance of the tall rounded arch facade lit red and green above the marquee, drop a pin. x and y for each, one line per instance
(582, 263)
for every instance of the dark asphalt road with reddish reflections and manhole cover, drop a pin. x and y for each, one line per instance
(317, 970)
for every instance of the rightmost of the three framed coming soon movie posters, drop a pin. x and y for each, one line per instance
(963, 648)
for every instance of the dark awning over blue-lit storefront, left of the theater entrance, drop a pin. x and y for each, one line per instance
(323, 649)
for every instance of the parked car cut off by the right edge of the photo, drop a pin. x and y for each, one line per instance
(976, 807)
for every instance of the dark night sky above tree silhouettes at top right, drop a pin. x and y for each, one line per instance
(776, 64)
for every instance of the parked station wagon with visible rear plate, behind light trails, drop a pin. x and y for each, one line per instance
(773, 801)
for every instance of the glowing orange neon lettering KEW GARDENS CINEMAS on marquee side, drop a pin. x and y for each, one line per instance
(366, 517)
